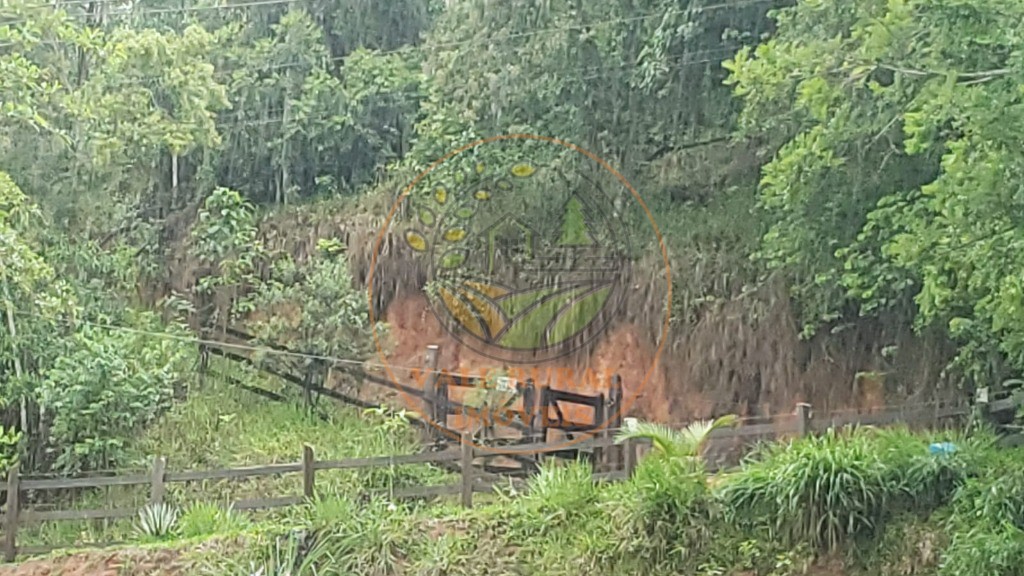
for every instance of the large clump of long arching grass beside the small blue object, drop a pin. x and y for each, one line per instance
(828, 490)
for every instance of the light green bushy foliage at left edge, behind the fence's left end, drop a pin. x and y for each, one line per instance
(87, 389)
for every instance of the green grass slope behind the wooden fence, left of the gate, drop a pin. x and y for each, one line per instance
(223, 427)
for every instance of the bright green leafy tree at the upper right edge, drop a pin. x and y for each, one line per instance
(897, 176)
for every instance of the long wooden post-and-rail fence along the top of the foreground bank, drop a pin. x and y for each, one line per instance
(613, 463)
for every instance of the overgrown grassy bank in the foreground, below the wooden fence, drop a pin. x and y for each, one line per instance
(861, 503)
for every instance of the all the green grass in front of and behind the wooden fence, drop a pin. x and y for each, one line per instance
(875, 500)
